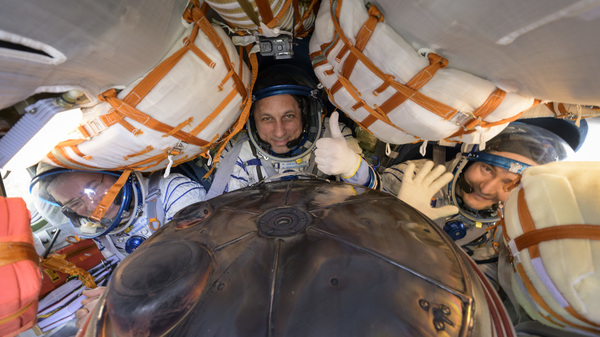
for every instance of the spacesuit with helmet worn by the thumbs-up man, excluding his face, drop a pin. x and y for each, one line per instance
(248, 159)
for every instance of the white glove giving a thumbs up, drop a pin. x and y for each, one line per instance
(333, 156)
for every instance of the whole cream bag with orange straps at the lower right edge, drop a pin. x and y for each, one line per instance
(552, 229)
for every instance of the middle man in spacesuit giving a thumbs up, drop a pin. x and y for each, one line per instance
(285, 134)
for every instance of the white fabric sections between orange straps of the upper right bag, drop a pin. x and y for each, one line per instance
(389, 52)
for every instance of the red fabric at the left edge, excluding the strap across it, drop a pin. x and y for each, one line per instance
(20, 282)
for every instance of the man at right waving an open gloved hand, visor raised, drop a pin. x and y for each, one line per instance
(464, 196)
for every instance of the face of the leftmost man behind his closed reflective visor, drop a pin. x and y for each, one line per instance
(81, 192)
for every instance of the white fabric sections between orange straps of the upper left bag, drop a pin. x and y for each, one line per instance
(189, 90)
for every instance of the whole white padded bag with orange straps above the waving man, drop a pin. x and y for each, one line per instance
(374, 76)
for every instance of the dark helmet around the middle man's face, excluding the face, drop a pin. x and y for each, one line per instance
(281, 79)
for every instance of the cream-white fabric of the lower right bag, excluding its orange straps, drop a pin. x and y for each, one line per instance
(557, 194)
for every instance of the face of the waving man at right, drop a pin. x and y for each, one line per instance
(488, 182)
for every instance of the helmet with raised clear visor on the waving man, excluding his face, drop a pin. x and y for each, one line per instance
(537, 144)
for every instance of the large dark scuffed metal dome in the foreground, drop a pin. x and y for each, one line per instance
(297, 258)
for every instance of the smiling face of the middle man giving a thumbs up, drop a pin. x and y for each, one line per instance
(278, 120)
